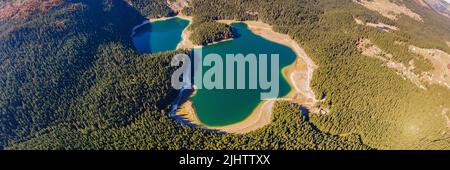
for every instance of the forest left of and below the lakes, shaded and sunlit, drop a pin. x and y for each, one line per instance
(87, 88)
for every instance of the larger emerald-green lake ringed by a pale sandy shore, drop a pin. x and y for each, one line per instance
(225, 107)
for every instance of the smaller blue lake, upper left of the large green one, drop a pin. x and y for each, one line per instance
(159, 36)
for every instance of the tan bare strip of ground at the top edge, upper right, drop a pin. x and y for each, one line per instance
(389, 9)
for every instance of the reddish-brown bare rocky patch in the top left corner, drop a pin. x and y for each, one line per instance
(23, 9)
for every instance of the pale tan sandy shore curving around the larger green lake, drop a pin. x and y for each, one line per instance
(301, 70)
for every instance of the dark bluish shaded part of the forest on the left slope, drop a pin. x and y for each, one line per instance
(44, 59)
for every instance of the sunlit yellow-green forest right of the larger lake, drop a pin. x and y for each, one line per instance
(364, 97)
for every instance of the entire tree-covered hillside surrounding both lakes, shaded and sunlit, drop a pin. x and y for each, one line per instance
(71, 79)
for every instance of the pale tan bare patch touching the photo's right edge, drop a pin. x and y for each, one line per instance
(441, 62)
